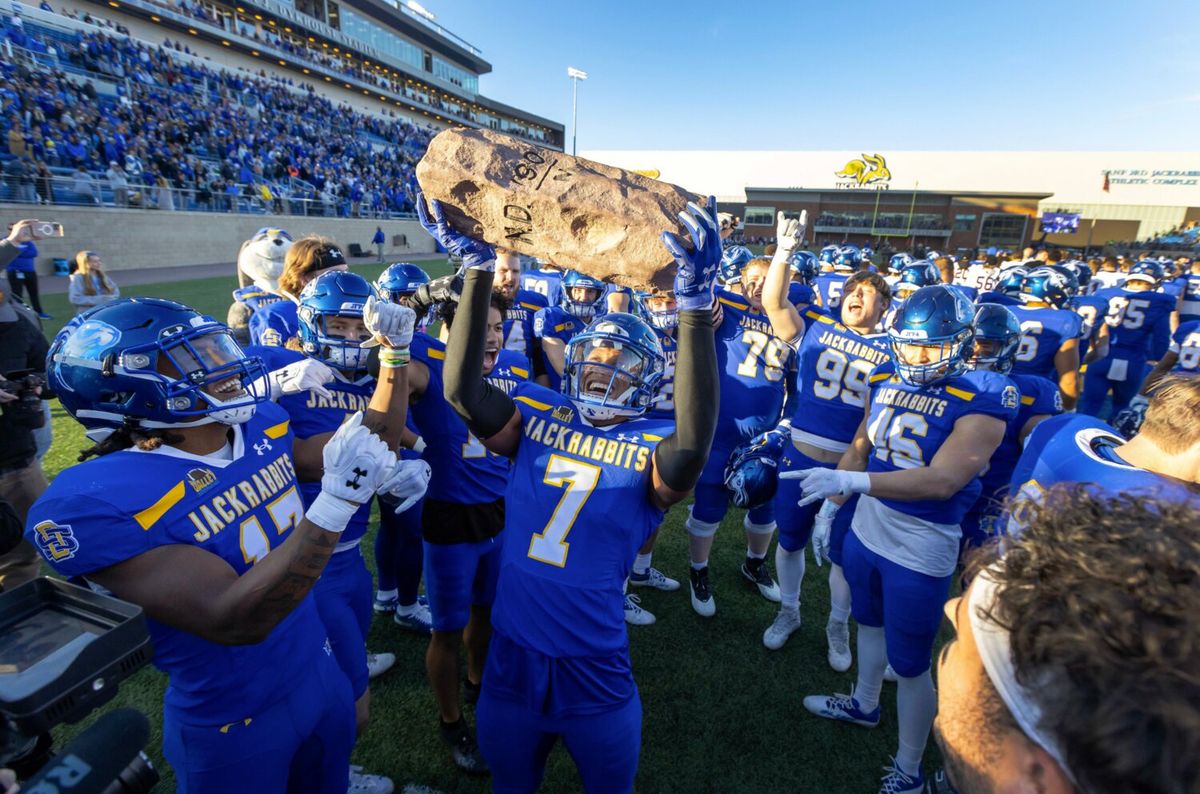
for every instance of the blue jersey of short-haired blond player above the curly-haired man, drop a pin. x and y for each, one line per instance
(1076, 448)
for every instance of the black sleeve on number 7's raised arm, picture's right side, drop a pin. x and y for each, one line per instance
(681, 458)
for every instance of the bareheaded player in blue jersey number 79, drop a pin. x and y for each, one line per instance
(757, 369)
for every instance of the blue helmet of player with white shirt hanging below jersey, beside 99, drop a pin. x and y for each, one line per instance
(939, 320)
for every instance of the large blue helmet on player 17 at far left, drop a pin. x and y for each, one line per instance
(153, 363)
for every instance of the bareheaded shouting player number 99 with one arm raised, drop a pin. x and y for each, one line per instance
(833, 363)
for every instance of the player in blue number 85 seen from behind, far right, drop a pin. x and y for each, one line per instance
(1139, 329)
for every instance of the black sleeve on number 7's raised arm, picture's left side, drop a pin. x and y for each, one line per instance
(485, 408)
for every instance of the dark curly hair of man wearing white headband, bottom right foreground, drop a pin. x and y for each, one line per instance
(1101, 595)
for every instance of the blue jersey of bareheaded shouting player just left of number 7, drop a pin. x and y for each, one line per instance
(464, 471)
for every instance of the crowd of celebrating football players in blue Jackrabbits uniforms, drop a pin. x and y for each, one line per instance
(525, 434)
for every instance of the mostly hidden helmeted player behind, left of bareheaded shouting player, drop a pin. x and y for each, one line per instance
(399, 549)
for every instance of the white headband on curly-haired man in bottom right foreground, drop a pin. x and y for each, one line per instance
(995, 651)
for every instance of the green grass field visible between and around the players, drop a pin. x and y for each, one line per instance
(722, 713)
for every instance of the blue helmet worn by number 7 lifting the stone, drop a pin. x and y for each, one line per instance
(614, 368)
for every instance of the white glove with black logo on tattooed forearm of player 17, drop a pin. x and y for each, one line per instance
(357, 464)
